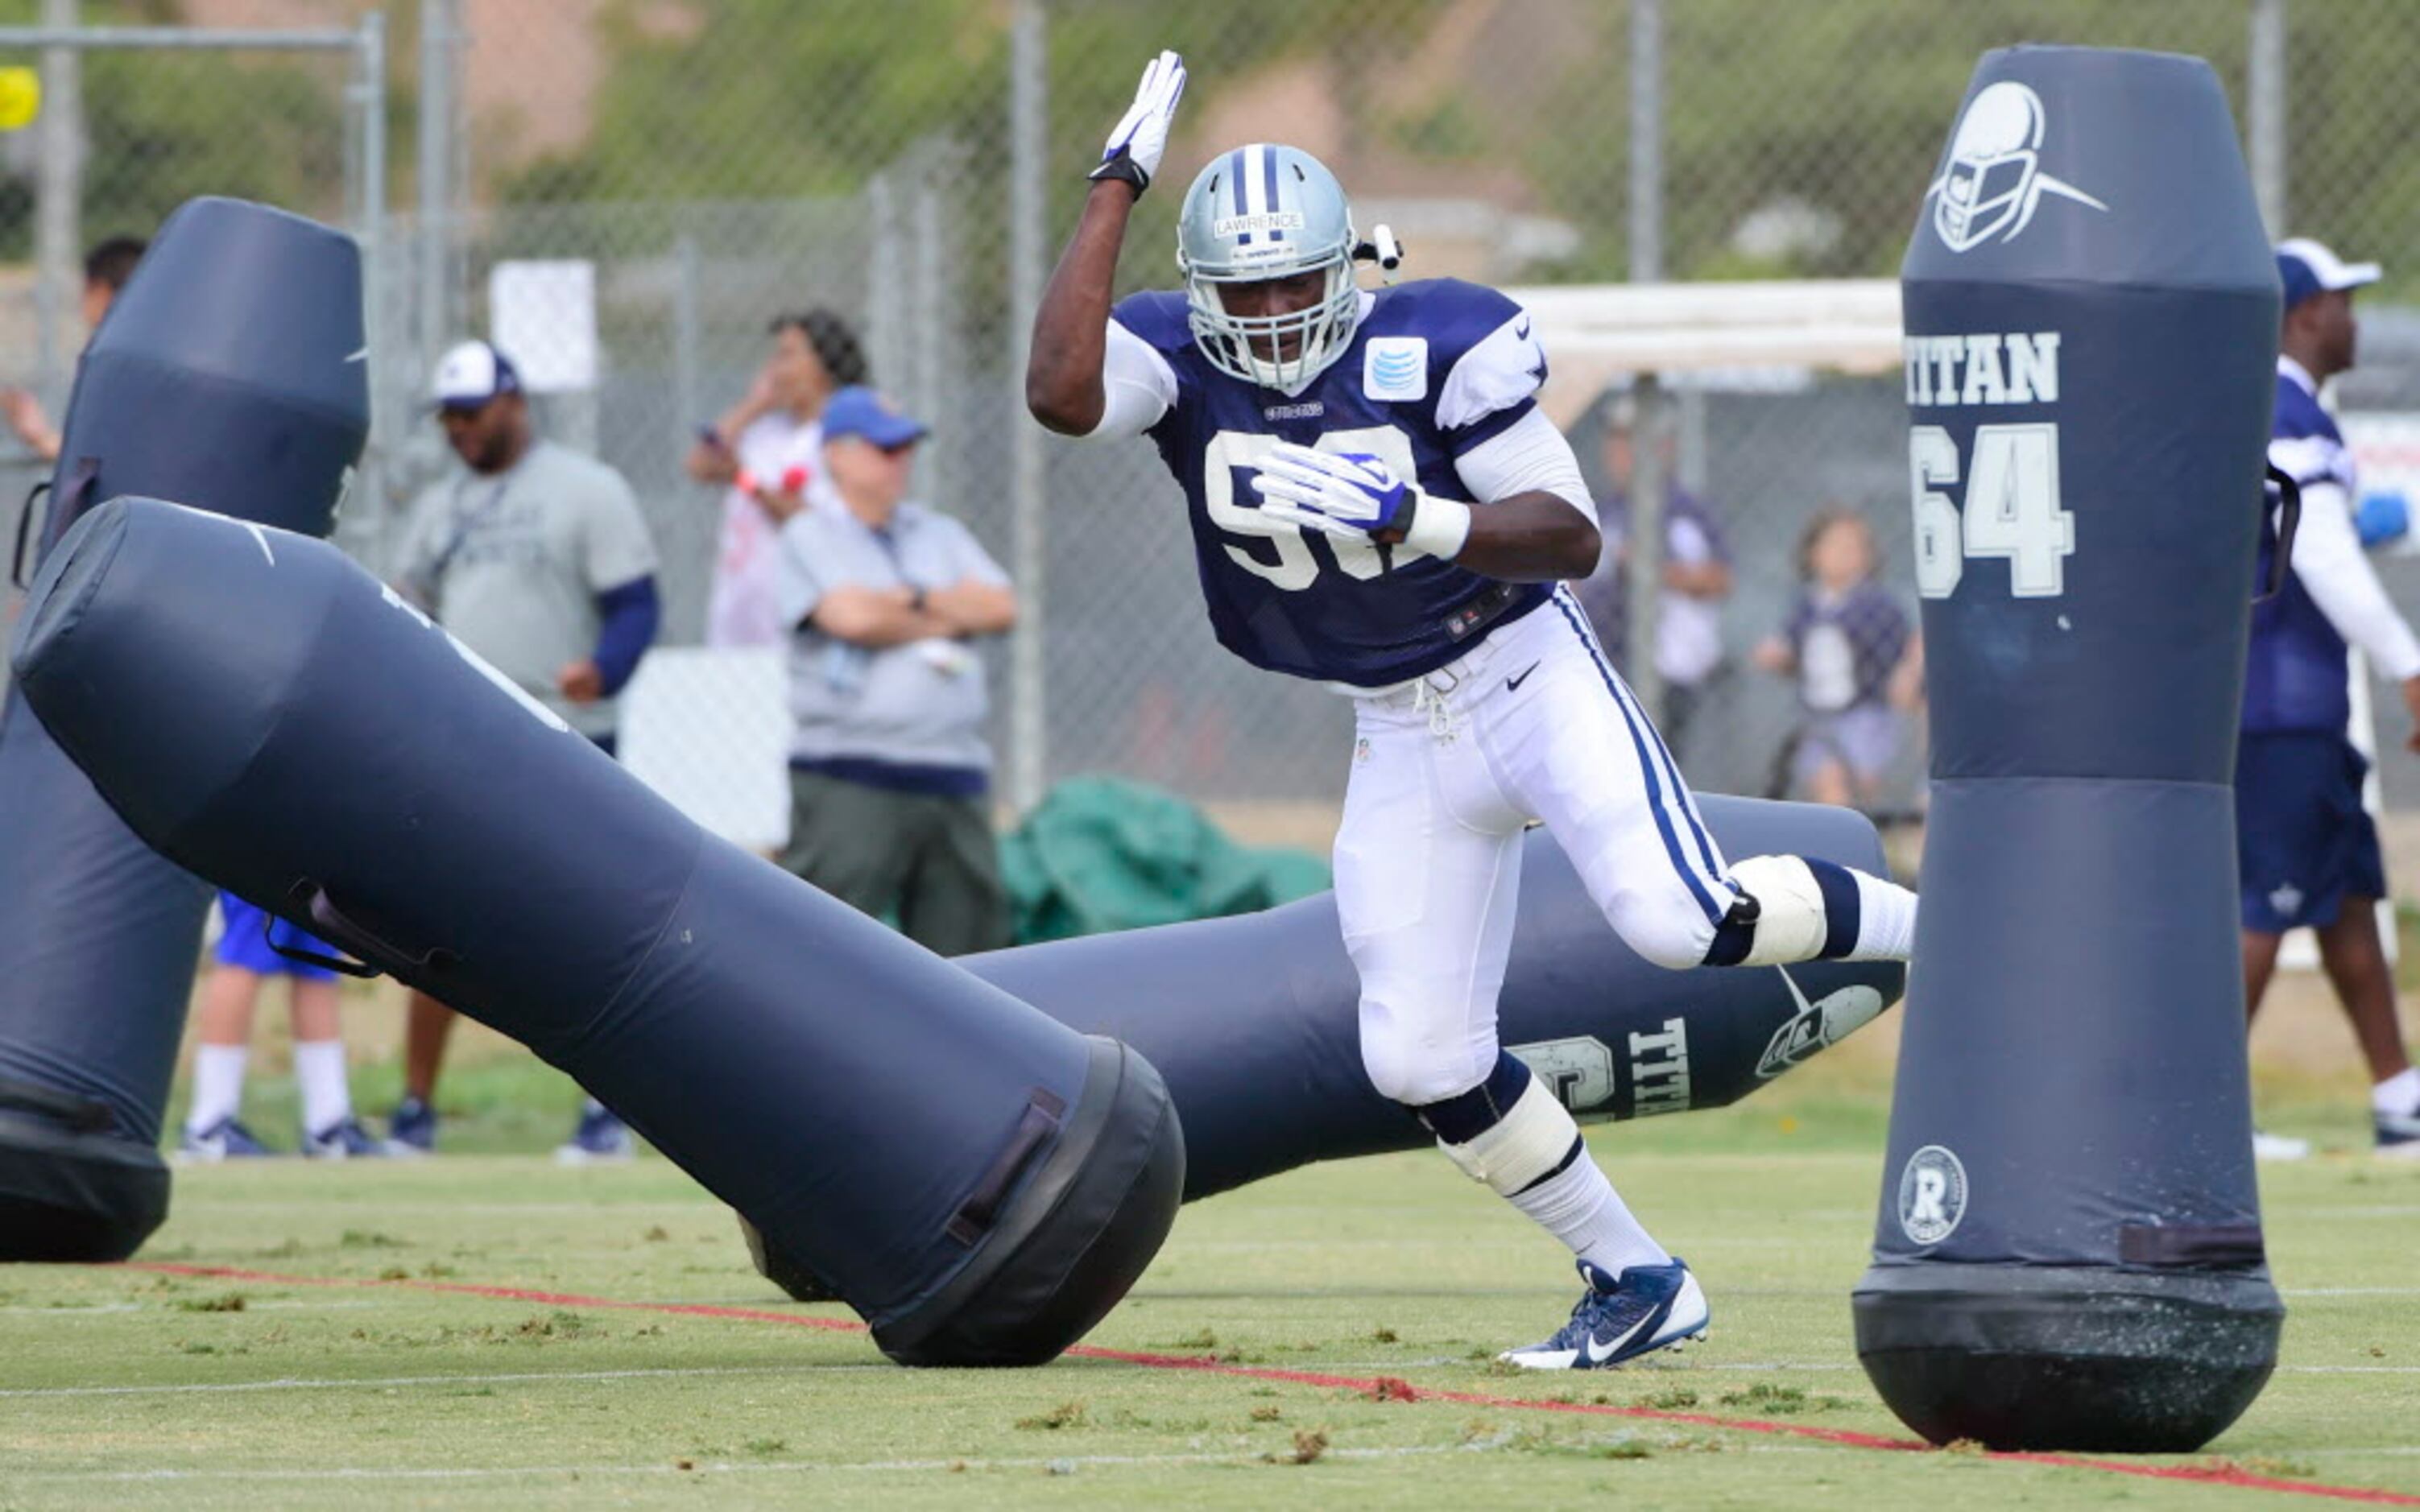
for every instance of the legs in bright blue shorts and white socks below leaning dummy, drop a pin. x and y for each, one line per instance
(243, 962)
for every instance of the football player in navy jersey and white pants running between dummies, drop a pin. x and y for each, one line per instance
(1378, 504)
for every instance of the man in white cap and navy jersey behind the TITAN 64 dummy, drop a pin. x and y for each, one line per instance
(2307, 848)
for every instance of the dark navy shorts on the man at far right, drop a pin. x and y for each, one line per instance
(2303, 838)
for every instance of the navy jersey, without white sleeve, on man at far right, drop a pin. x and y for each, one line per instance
(2298, 659)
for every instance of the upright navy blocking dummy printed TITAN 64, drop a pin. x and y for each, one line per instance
(2068, 1252)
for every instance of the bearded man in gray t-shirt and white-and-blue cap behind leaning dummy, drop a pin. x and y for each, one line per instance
(538, 560)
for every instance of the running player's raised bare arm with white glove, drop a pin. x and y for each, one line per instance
(1071, 330)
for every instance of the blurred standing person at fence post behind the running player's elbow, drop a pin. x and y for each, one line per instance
(1690, 654)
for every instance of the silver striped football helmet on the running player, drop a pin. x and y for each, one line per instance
(1257, 214)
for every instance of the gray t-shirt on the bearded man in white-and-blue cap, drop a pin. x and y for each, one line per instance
(512, 565)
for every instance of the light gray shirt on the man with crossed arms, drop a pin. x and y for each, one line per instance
(916, 705)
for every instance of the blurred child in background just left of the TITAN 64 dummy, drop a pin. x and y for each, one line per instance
(1843, 640)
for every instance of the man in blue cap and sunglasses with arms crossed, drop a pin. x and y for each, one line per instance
(889, 768)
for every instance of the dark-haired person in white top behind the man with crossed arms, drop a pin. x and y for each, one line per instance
(768, 454)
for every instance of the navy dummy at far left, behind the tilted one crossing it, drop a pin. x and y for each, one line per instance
(229, 376)
